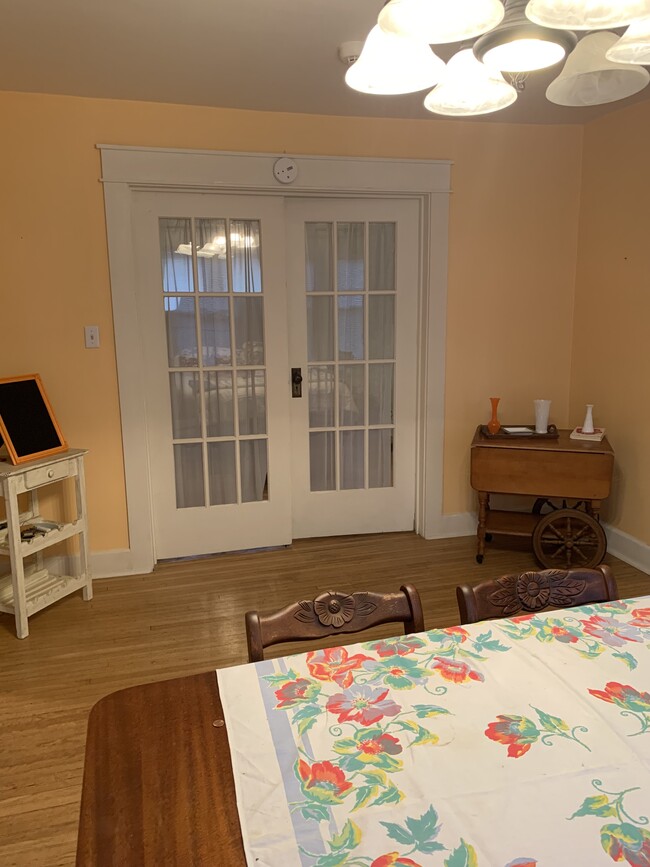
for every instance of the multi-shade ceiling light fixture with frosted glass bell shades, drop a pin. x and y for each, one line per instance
(515, 37)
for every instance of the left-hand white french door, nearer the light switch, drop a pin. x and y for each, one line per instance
(211, 303)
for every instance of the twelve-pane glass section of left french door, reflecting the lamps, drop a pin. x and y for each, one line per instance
(213, 299)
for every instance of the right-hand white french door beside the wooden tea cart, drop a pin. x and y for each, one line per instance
(353, 278)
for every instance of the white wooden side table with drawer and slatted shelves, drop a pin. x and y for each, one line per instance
(31, 586)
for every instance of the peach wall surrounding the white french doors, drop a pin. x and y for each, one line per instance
(513, 225)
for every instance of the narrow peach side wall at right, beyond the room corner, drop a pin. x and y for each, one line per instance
(611, 361)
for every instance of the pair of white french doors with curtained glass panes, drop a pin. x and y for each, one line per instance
(233, 292)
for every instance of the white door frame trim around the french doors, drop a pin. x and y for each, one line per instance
(128, 170)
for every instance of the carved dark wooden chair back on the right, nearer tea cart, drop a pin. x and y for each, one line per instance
(535, 591)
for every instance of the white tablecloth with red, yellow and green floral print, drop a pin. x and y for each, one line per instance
(508, 743)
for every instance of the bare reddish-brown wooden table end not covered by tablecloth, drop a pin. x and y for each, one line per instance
(158, 786)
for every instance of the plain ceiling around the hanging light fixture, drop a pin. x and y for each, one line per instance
(272, 55)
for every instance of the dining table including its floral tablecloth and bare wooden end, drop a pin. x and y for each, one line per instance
(517, 741)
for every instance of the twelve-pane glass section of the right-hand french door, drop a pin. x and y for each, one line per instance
(351, 353)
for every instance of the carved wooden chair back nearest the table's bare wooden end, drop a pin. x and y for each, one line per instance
(332, 613)
